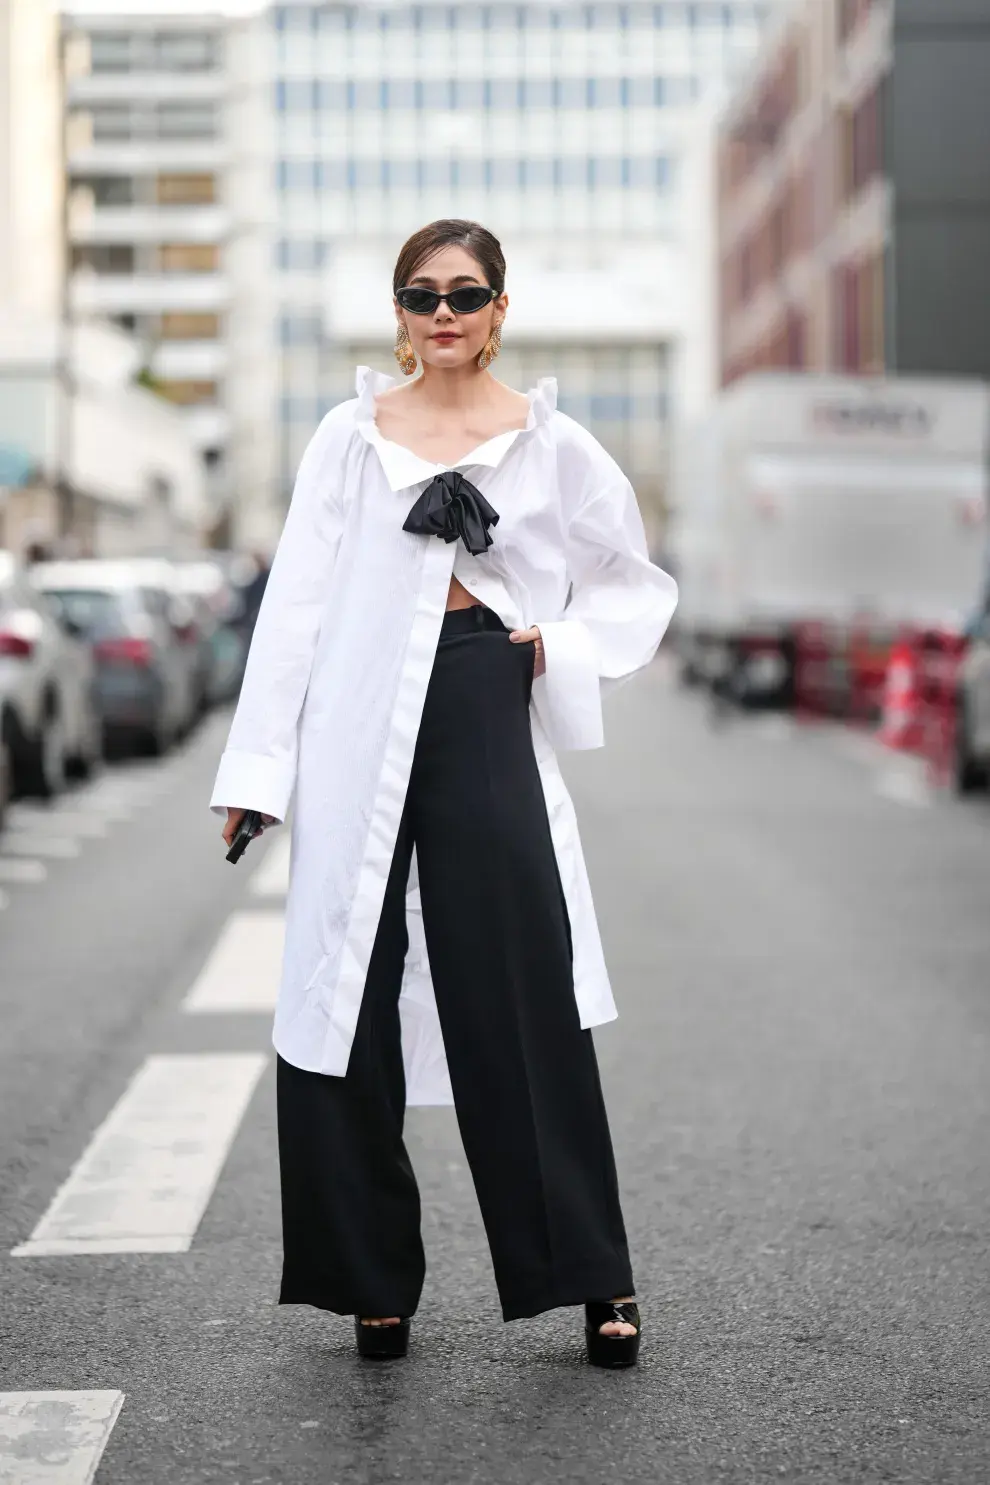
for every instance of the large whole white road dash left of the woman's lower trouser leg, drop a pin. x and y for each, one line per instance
(145, 1180)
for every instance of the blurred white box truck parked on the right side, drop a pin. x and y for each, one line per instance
(820, 500)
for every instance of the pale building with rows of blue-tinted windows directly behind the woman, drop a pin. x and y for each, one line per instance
(562, 127)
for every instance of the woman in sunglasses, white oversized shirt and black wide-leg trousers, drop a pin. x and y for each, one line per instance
(442, 941)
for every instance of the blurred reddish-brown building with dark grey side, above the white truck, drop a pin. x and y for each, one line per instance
(856, 192)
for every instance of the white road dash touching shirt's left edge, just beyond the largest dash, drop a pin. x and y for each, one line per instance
(243, 972)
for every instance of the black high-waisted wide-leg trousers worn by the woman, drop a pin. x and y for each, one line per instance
(525, 1074)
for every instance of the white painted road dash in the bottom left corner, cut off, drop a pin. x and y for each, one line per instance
(56, 1438)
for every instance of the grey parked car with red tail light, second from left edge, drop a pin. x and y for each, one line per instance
(142, 641)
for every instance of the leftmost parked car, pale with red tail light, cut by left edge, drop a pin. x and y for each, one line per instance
(50, 718)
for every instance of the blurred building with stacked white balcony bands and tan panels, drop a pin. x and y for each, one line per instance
(170, 223)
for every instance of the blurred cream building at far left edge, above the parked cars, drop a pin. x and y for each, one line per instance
(88, 457)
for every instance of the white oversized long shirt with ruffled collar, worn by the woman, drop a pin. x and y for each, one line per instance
(338, 675)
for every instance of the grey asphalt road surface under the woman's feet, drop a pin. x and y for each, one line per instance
(799, 1089)
